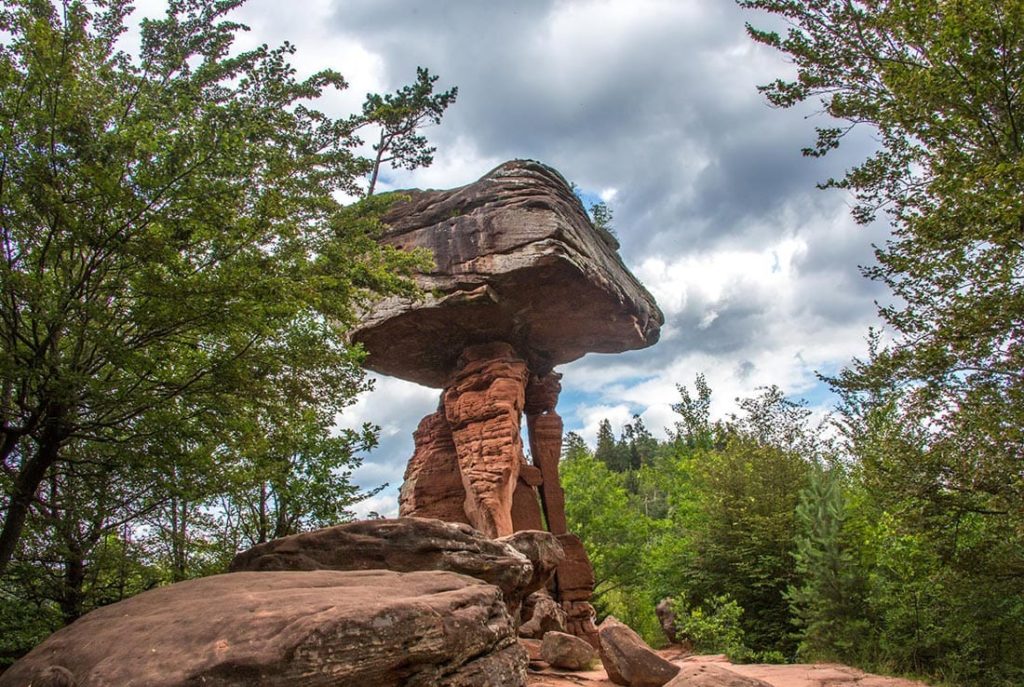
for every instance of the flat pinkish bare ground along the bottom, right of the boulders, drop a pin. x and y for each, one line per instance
(800, 675)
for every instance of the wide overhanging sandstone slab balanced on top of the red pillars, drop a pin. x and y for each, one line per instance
(518, 261)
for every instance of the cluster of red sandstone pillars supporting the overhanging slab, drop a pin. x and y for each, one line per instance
(470, 466)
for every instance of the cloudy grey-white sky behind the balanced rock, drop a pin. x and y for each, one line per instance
(653, 106)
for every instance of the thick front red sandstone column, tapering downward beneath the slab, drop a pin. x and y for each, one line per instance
(484, 405)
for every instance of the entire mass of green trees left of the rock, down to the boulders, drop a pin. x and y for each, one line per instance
(178, 280)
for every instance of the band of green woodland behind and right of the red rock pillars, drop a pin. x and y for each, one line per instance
(780, 538)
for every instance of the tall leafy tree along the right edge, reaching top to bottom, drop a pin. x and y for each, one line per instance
(938, 411)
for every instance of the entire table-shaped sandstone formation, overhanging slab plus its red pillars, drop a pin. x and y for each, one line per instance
(523, 282)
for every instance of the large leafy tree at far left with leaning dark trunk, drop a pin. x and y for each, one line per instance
(172, 241)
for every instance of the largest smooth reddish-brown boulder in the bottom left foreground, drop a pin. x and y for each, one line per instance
(315, 629)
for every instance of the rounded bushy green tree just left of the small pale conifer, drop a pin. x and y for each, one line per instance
(738, 509)
